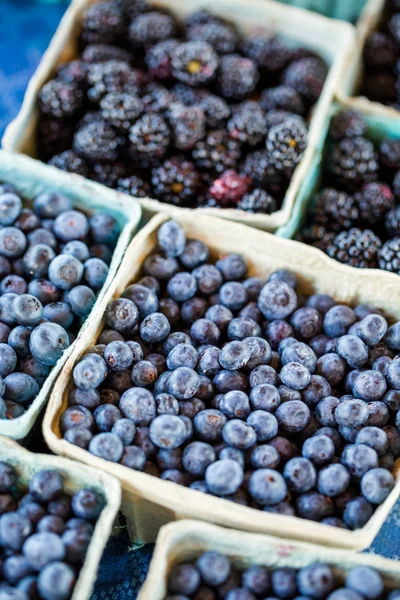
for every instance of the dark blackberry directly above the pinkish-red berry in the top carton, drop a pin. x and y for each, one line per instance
(217, 152)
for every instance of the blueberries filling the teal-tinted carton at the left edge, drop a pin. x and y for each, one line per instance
(53, 261)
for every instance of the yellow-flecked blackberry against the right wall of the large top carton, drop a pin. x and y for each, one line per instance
(286, 143)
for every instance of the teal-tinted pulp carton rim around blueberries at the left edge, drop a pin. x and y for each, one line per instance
(31, 178)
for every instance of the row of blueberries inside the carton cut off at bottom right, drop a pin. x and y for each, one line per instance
(214, 576)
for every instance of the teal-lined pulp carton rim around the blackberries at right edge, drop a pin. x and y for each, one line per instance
(380, 126)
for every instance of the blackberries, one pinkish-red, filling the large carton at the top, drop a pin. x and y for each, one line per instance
(192, 113)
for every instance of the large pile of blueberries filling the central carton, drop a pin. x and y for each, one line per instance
(242, 388)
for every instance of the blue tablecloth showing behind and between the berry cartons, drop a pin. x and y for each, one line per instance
(26, 27)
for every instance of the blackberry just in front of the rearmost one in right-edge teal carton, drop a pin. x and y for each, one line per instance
(353, 161)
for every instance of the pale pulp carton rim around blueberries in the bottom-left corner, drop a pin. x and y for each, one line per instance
(75, 477)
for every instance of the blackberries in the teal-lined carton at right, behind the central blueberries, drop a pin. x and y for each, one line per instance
(355, 217)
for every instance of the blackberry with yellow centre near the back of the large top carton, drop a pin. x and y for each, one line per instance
(194, 63)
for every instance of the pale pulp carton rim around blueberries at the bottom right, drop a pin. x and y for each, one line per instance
(187, 540)
